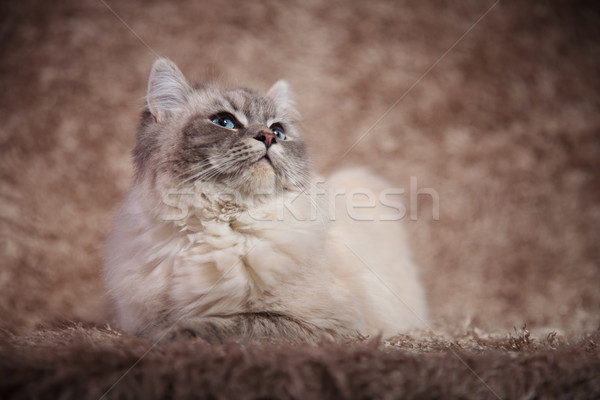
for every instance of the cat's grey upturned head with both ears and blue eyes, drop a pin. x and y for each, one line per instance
(235, 140)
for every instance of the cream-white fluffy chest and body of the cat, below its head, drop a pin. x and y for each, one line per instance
(334, 274)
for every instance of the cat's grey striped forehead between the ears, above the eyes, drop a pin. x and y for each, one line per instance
(253, 106)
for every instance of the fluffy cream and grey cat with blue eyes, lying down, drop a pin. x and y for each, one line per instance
(221, 236)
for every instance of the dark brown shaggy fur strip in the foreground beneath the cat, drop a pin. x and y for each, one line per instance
(81, 363)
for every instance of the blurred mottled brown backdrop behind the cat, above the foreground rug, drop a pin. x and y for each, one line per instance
(506, 129)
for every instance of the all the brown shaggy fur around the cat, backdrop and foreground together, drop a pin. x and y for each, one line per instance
(505, 128)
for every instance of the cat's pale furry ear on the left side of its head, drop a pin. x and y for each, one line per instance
(167, 90)
